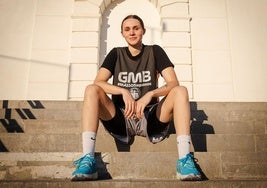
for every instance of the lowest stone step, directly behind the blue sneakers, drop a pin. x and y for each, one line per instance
(133, 165)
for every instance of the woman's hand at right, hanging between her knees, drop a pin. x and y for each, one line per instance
(142, 103)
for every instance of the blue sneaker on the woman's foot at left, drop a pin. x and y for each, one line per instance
(85, 169)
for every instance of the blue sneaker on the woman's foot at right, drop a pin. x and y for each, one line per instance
(186, 169)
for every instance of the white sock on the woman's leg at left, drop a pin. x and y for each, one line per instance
(88, 140)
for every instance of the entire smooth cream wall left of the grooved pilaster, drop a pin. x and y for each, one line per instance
(35, 49)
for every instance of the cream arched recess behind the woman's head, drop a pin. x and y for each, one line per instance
(111, 22)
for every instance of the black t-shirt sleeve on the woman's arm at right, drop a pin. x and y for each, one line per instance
(161, 58)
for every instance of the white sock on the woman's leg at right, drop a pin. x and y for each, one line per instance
(183, 145)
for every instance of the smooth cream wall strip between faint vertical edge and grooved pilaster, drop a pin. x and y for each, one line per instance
(49, 69)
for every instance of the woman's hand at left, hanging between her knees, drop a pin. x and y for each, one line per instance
(129, 102)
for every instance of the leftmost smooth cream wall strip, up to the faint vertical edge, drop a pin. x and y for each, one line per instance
(16, 30)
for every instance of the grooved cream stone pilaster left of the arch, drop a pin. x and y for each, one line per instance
(86, 22)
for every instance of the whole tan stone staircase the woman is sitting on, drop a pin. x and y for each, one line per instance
(40, 139)
